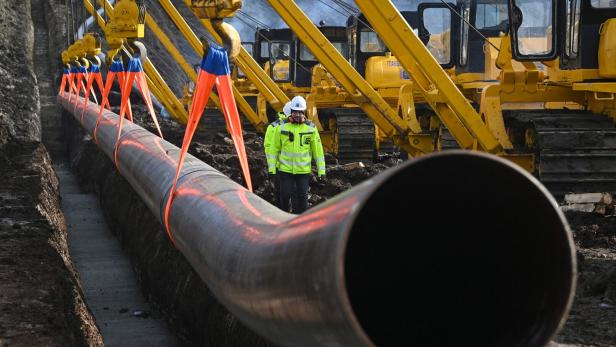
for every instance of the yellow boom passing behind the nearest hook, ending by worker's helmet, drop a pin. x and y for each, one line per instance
(197, 46)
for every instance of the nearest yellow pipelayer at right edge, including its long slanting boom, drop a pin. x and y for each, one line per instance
(568, 149)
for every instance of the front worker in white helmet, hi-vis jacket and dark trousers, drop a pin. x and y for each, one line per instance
(295, 143)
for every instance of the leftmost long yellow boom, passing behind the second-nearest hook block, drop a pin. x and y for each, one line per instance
(155, 81)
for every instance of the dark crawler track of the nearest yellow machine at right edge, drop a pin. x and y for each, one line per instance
(575, 150)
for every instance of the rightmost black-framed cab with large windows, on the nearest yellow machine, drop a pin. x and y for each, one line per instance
(578, 32)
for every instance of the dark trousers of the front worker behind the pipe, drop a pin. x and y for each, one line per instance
(294, 188)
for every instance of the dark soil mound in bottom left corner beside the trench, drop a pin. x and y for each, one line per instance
(41, 303)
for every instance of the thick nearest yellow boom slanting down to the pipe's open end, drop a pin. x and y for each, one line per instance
(440, 92)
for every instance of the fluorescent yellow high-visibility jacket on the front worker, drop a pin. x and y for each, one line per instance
(293, 148)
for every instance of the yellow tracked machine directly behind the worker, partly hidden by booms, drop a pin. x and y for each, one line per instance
(345, 130)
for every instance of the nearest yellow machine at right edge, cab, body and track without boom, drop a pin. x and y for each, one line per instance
(574, 141)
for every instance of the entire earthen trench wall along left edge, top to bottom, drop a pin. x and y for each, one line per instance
(41, 303)
